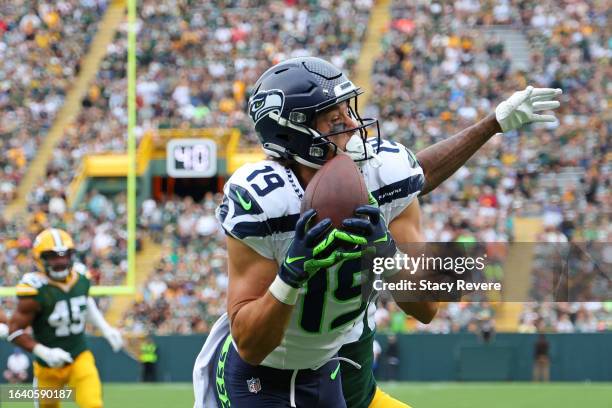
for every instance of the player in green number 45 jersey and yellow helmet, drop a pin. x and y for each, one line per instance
(55, 302)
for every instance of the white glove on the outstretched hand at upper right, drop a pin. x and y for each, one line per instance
(520, 108)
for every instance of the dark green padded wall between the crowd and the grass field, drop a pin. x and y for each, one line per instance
(424, 357)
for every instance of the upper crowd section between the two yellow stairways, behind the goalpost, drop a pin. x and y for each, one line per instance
(195, 62)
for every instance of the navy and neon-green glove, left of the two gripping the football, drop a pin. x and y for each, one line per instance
(317, 247)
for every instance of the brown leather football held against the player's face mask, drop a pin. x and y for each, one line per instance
(336, 190)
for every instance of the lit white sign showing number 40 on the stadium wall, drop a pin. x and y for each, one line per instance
(191, 158)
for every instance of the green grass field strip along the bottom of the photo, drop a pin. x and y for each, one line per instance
(419, 395)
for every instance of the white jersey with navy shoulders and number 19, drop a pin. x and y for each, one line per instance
(261, 206)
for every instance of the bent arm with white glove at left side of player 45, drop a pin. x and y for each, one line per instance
(23, 317)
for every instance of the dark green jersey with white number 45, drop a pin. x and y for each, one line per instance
(63, 313)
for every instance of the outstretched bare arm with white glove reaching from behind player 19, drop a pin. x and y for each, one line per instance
(441, 160)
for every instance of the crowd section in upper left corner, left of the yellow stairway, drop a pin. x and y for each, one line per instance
(41, 46)
